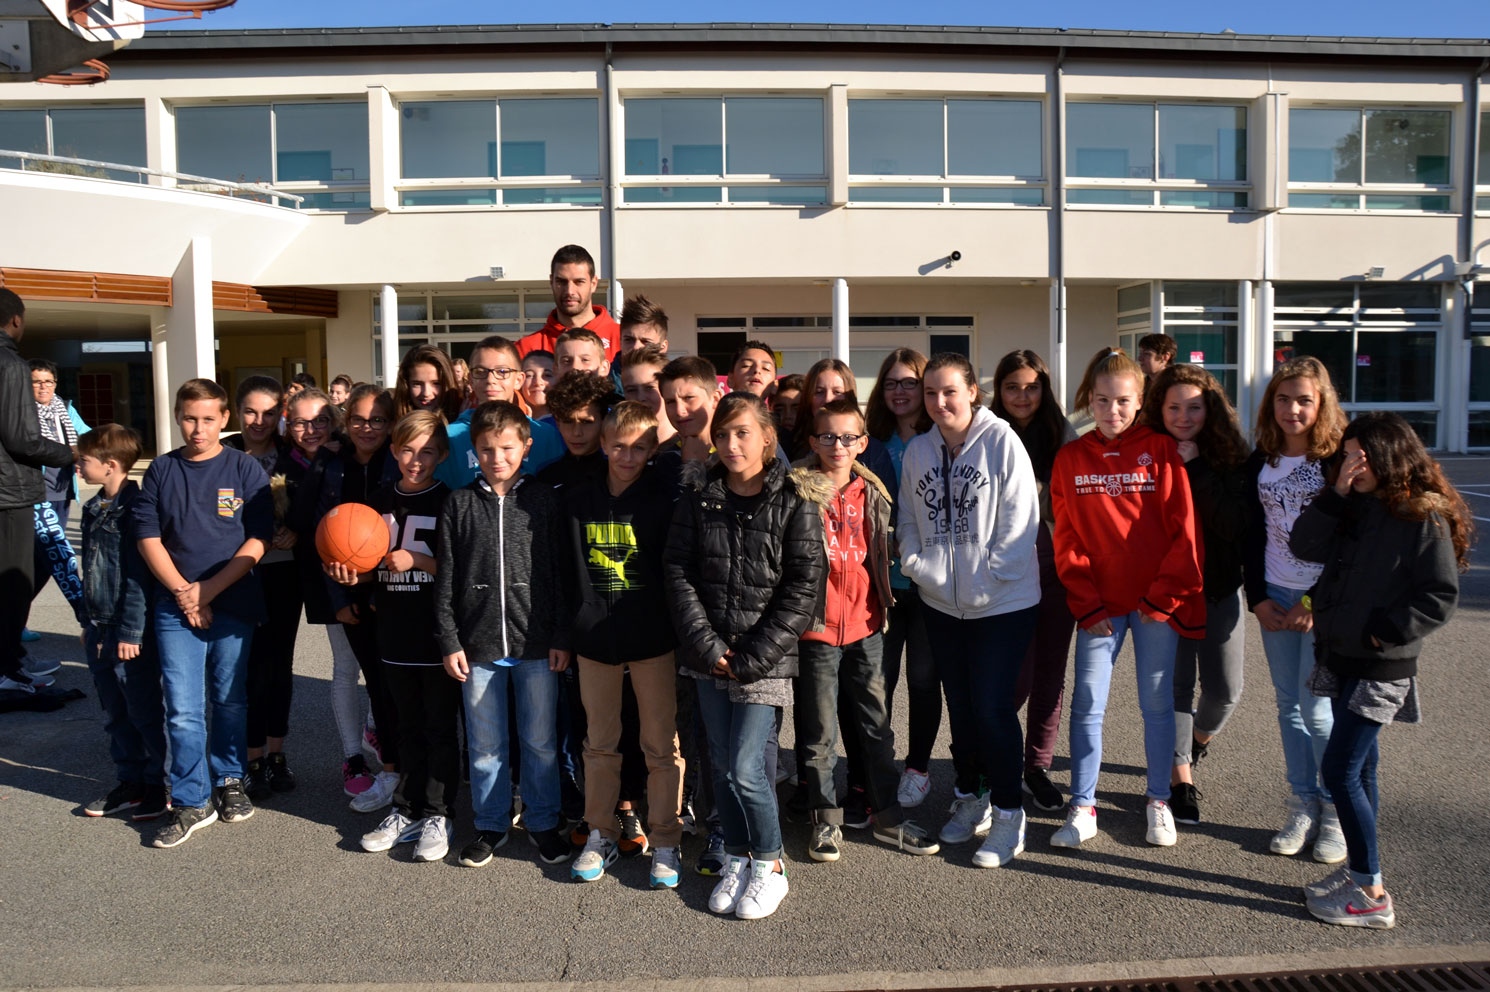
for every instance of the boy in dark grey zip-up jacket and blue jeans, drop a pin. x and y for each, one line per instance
(500, 607)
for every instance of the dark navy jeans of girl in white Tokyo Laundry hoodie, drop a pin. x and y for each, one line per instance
(980, 664)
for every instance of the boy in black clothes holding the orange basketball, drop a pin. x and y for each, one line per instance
(405, 598)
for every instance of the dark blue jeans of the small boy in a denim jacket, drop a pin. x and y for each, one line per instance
(135, 713)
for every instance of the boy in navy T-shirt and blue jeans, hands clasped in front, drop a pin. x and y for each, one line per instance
(203, 519)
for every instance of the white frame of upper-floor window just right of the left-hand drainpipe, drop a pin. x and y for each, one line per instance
(728, 181)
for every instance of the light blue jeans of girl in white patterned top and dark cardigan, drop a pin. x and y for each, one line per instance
(1304, 720)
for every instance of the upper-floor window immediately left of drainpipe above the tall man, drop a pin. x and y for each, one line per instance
(501, 153)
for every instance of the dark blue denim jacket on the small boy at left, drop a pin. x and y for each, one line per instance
(117, 586)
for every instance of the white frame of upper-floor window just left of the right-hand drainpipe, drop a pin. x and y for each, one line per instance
(950, 181)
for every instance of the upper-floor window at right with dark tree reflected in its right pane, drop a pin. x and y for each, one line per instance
(1370, 160)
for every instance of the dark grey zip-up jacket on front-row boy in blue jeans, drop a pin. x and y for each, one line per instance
(498, 591)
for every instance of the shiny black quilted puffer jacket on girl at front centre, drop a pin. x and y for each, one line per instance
(750, 583)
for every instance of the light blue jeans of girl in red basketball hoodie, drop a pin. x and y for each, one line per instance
(1154, 646)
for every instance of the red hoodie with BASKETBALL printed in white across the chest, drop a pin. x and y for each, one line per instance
(1126, 534)
